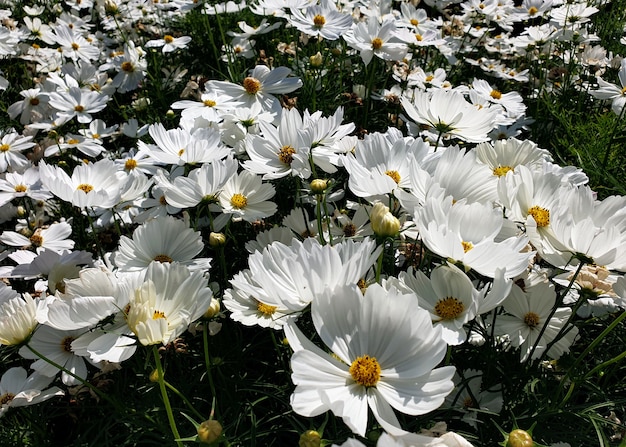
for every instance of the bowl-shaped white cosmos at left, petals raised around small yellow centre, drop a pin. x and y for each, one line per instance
(96, 185)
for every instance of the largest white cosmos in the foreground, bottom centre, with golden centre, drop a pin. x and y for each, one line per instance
(385, 351)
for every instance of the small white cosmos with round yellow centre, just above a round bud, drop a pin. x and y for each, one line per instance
(245, 196)
